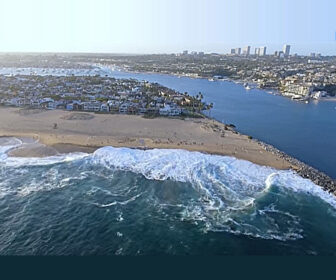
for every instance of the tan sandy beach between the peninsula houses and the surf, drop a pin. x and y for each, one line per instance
(85, 132)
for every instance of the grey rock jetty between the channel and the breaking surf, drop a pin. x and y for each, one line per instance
(304, 170)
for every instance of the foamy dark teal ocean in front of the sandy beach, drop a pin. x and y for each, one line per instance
(134, 202)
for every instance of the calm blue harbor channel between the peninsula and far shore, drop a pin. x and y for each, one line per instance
(304, 131)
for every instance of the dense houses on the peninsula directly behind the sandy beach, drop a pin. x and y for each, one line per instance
(95, 94)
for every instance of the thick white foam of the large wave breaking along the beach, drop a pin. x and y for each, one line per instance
(220, 177)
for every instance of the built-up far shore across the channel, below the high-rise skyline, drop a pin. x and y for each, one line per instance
(293, 76)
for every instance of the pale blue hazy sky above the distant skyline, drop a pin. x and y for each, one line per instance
(147, 26)
